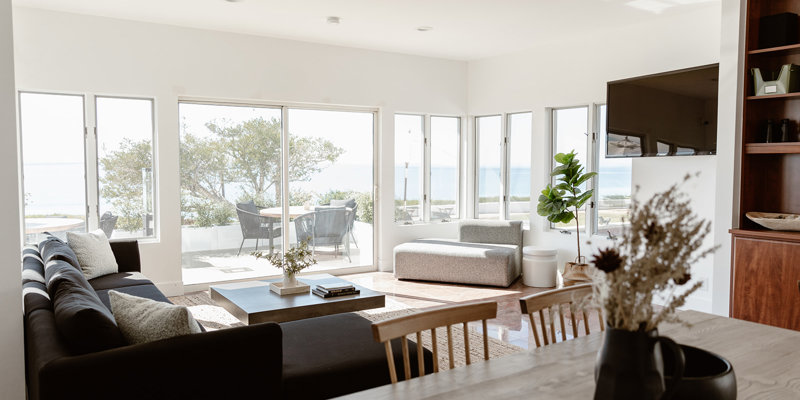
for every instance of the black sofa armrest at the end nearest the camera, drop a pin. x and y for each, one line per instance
(242, 362)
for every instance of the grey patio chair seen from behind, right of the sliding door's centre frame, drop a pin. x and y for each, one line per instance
(326, 226)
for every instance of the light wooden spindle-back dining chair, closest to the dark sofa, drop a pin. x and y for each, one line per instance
(399, 327)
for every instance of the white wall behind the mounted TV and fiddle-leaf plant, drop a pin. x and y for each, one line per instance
(571, 73)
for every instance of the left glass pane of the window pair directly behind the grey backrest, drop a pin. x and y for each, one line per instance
(490, 149)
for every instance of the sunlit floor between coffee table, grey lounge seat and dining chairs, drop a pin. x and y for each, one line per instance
(510, 325)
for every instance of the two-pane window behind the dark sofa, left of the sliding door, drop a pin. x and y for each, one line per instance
(72, 174)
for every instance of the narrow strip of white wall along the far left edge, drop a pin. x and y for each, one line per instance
(12, 371)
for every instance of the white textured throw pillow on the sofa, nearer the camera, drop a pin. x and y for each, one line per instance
(144, 320)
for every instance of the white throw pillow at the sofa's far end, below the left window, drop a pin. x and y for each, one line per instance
(94, 253)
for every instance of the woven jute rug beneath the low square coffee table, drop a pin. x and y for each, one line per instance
(213, 317)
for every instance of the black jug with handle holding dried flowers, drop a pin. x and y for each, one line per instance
(630, 365)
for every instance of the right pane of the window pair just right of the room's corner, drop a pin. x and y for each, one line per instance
(519, 180)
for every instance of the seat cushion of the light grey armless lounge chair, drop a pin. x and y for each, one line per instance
(457, 262)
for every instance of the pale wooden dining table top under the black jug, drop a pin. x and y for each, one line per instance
(765, 359)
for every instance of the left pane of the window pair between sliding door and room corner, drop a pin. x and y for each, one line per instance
(408, 155)
